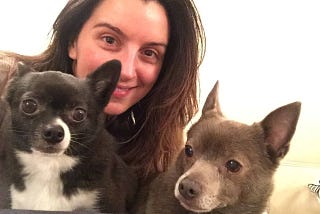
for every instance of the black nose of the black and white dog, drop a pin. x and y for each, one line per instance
(53, 134)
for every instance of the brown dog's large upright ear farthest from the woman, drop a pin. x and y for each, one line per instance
(279, 127)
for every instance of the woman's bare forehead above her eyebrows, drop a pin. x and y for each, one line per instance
(134, 17)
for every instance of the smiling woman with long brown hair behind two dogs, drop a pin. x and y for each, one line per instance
(160, 44)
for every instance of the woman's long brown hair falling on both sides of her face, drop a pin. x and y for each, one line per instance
(172, 102)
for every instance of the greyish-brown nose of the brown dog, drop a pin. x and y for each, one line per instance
(189, 189)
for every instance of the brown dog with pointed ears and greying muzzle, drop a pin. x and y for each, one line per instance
(226, 167)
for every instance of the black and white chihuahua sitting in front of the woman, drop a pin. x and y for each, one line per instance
(59, 156)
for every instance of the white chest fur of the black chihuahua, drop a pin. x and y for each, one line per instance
(44, 189)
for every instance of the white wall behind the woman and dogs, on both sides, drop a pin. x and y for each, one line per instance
(265, 54)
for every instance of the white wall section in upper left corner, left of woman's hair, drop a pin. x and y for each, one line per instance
(26, 25)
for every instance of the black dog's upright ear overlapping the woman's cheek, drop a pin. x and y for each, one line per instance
(104, 80)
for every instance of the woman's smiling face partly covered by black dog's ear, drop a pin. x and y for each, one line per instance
(135, 32)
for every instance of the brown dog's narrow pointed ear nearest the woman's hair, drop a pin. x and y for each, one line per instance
(212, 105)
